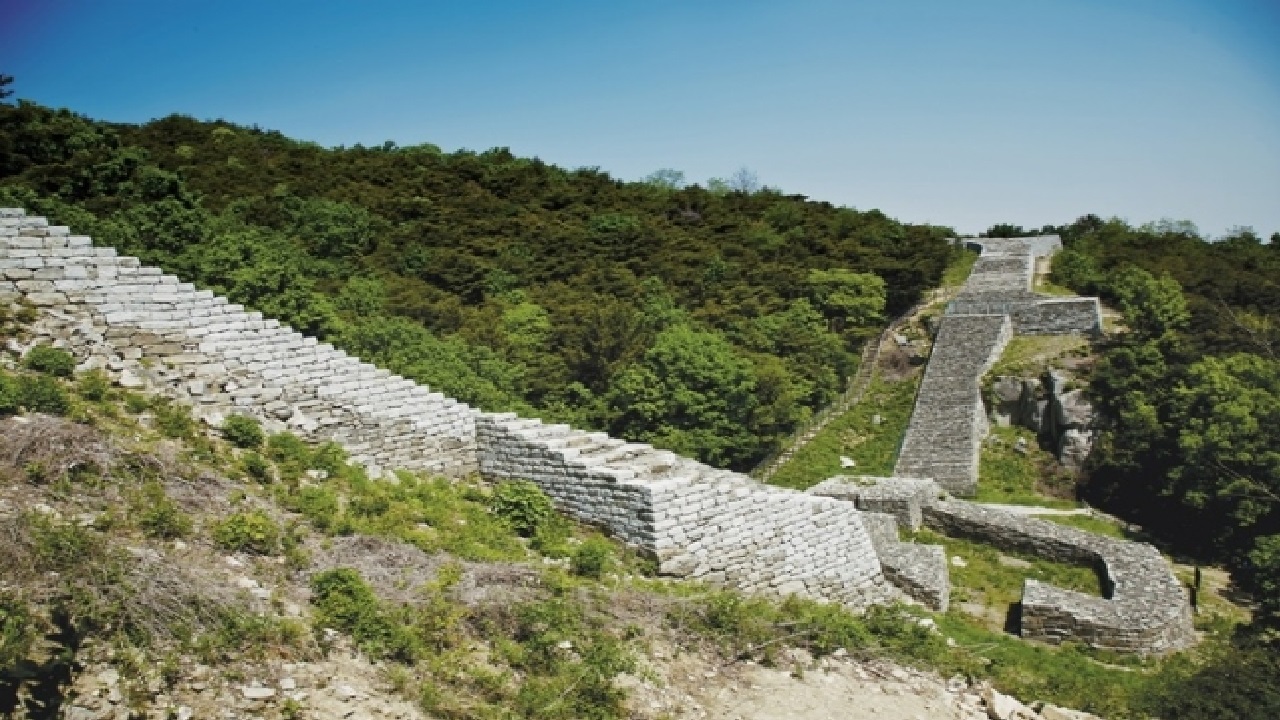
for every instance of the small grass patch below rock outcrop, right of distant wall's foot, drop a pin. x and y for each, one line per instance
(1013, 479)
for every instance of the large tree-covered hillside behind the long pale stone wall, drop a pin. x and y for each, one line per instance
(708, 322)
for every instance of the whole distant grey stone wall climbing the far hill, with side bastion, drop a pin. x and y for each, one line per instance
(949, 422)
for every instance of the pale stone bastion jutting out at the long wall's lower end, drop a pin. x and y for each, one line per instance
(697, 521)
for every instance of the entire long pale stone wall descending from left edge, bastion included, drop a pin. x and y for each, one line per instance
(147, 329)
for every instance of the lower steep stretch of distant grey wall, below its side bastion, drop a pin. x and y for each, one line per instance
(949, 421)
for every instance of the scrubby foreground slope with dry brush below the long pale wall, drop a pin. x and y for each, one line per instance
(156, 568)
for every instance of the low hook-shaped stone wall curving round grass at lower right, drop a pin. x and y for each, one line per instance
(1144, 609)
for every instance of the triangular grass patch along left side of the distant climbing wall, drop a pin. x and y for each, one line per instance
(854, 435)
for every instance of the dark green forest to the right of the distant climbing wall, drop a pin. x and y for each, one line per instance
(1192, 393)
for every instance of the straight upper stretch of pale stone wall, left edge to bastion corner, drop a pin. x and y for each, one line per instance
(150, 329)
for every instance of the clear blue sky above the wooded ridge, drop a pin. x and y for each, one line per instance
(954, 112)
